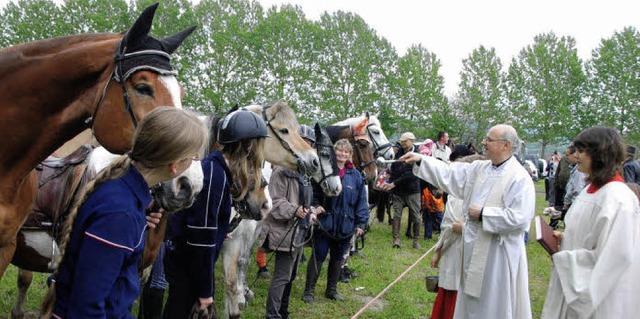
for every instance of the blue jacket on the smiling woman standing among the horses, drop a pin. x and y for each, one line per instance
(347, 210)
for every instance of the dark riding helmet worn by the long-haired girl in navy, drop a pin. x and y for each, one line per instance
(241, 125)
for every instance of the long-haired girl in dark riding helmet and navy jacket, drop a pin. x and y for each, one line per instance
(195, 235)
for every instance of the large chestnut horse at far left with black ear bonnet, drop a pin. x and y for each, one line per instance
(51, 90)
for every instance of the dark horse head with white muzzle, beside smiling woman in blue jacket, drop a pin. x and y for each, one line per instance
(329, 174)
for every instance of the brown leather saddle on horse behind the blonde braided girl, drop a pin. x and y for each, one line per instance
(58, 182)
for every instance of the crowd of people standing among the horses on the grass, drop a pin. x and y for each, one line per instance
(479, 205)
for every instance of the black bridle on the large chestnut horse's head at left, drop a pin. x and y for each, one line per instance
(118, 76)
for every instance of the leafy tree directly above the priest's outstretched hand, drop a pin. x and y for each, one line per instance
(420, 89)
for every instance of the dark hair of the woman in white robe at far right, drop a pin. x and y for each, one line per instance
(607, 150)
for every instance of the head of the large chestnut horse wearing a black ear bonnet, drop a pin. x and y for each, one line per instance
(142, 67)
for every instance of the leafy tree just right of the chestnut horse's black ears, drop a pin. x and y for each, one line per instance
(223, 74)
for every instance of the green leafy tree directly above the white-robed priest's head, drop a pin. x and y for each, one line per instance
(481, 93)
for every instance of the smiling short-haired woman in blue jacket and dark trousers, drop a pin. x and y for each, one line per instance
(338, 219)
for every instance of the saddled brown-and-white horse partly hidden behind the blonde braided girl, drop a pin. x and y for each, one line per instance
(36, 245)
